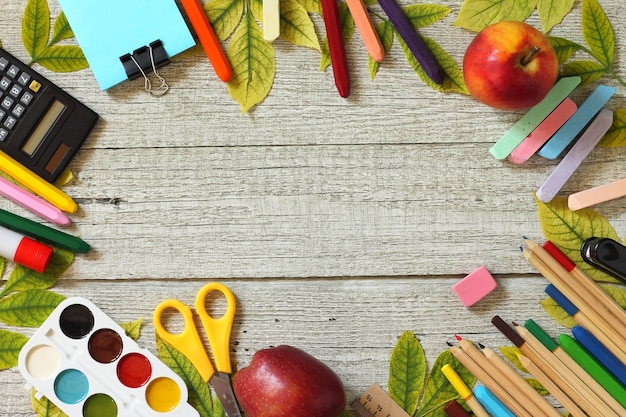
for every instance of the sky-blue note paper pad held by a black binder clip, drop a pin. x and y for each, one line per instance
(107, 30)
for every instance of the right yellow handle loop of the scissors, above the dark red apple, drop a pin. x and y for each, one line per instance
(217, 329)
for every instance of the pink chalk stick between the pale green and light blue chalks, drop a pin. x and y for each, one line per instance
(543, 132)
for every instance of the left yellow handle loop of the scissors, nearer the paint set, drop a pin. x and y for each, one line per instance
(188, 341)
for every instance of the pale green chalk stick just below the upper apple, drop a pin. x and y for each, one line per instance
(503, 147)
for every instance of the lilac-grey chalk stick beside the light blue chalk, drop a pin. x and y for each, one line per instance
(564, 170)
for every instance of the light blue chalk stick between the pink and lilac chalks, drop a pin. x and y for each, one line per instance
(566, 134)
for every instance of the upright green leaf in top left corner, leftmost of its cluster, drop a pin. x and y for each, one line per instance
(36, 26)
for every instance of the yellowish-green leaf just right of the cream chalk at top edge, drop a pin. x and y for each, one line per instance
(296, 26)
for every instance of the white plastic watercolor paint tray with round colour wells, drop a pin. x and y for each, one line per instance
(84, 362)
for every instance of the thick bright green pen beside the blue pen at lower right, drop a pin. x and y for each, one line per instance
(593, 368)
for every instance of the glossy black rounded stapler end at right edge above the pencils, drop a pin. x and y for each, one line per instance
(607, 255)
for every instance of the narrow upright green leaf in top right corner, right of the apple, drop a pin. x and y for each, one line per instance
(598, 32)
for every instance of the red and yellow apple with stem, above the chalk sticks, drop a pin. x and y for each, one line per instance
(510, 66)
